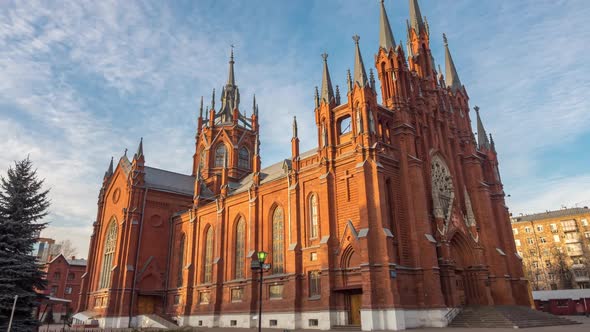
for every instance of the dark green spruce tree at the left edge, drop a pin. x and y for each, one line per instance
(23, 203)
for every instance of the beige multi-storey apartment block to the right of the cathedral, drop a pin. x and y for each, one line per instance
(555, 248)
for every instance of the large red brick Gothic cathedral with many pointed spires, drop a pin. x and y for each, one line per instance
(396, 217)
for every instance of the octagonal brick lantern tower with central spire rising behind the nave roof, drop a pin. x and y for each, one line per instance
(226, 141)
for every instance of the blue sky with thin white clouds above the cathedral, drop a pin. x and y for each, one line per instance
(82, 81)
